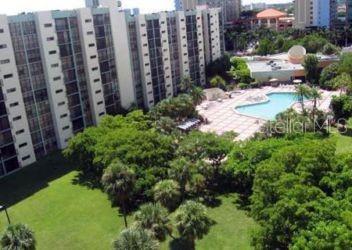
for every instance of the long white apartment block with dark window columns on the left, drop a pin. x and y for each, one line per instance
(61, 71)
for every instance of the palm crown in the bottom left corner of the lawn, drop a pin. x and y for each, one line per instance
(18, 236)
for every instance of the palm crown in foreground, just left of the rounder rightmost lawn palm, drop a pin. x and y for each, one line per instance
(153, 217)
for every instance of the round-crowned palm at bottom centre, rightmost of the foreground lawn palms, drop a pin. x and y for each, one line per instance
(192, 222)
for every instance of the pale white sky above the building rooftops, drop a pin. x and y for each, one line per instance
(12, 7)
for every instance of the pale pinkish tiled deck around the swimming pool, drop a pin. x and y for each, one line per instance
(223, 118)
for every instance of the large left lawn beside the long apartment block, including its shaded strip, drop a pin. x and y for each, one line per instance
(62, 214)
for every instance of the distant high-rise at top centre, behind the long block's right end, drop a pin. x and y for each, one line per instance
(230, 9)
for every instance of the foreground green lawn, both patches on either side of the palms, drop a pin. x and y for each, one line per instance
(67, 215)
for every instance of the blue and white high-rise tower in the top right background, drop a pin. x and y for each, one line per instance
(315, 13)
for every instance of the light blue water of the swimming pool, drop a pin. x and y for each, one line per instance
(278, 102)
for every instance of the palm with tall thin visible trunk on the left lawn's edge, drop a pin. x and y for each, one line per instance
(118, 181)
